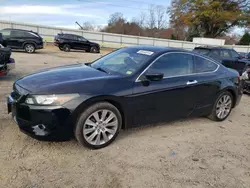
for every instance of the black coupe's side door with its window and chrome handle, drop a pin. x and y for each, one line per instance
(172, 97)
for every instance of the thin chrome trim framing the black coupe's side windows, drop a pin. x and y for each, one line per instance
(218, 65)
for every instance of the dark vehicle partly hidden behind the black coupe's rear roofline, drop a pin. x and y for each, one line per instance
(228, 57)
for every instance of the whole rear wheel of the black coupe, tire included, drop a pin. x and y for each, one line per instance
(222, 107)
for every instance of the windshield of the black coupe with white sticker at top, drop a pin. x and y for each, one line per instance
(125, 61)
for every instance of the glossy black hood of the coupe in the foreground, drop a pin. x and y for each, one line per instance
(60, 76)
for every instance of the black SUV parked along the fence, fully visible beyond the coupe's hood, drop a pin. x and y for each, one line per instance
(65, 42)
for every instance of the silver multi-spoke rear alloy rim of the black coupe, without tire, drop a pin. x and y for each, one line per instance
(223, 106)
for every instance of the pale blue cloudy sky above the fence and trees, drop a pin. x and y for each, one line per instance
(64, 13)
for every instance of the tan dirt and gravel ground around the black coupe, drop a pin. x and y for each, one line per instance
(188, 153)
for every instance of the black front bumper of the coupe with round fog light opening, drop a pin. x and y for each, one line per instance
(48, 123)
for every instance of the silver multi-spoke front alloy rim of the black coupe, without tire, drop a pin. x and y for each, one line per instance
(100, 127)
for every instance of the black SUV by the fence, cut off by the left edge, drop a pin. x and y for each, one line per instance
(22, 39)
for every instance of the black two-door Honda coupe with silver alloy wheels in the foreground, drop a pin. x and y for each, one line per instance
(128, 87)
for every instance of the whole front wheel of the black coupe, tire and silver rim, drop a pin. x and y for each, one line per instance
(98, 125)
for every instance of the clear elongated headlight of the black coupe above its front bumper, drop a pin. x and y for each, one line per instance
(50, 99)
